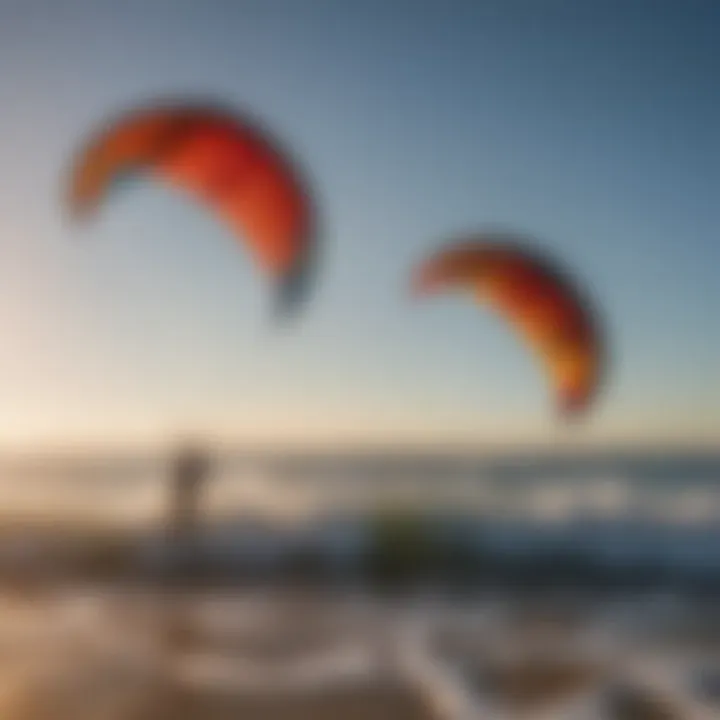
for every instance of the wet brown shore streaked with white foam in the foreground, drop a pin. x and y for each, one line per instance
(106, 656)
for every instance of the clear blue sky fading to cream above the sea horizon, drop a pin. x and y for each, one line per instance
(592, 125)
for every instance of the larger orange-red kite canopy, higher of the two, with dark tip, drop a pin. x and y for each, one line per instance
(219, 157)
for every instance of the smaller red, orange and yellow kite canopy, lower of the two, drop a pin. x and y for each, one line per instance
(536, 298)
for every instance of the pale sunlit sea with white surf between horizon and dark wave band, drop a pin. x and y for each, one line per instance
(625, 507)
